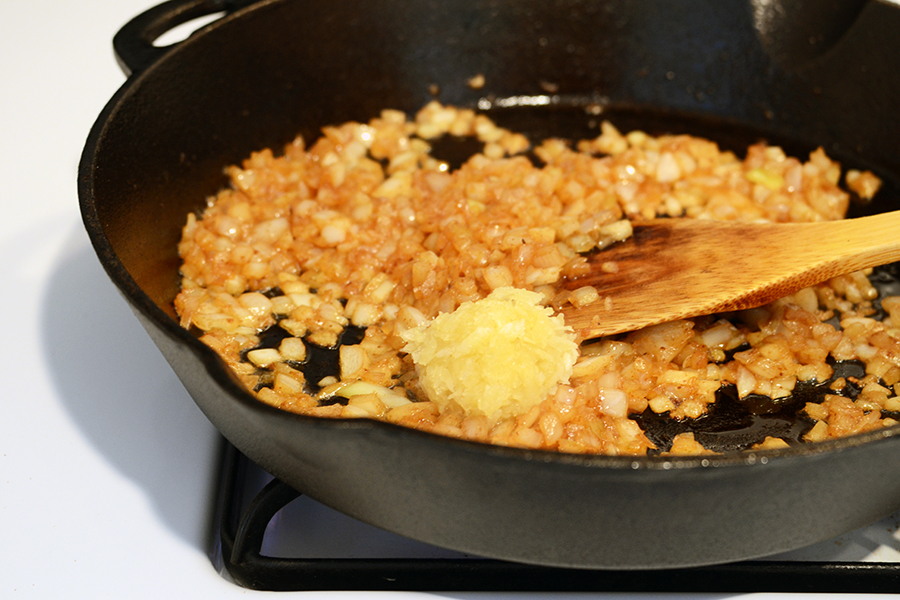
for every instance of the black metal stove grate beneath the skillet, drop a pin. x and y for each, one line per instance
(240, 531)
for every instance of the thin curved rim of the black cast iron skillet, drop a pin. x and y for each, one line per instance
(222, 376)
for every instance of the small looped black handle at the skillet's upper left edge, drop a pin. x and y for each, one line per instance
(133, 44)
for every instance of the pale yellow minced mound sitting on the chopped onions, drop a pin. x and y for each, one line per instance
(496, 357)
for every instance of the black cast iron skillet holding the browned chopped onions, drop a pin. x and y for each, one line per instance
(266, 71)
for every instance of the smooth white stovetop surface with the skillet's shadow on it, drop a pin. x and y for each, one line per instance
(106, 465)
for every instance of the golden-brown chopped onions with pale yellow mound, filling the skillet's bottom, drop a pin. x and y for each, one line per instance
(433, 286)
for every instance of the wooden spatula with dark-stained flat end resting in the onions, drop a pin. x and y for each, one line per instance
(678, 268)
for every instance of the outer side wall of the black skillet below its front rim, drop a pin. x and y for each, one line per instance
(535, 508)
